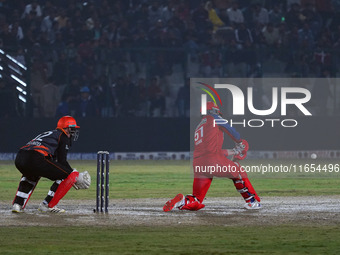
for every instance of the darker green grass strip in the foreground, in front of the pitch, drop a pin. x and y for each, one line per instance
(170, 240)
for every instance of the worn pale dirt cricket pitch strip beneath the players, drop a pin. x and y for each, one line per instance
(227, 211)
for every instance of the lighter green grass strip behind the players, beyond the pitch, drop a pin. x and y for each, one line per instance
(163, 179)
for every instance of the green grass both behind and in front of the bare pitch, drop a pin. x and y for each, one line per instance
(163, 179)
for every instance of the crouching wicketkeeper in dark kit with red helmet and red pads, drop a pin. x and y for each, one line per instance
(46, 156)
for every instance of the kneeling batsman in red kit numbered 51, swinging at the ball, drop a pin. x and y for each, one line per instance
(210, 160)
